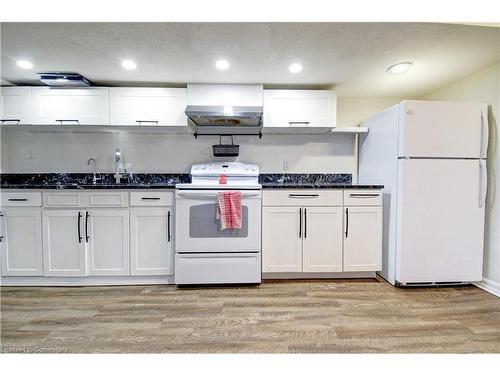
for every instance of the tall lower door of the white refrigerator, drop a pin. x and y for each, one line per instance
(440, 220)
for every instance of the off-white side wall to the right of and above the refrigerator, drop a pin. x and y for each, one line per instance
(484, 86)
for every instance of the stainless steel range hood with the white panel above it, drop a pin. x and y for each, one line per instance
(225, 109)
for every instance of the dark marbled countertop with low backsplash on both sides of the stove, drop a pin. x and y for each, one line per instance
(169, 180)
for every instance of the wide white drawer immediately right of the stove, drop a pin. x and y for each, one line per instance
(302, 197)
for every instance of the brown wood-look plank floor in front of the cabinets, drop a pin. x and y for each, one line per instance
(275, 317)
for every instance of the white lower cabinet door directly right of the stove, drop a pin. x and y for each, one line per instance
(281, 239)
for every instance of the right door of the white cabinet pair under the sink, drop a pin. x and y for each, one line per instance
(106, 234)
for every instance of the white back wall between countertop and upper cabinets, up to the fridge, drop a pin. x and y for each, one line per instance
(68, 152)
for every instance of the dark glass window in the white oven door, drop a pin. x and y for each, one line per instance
(204, 224)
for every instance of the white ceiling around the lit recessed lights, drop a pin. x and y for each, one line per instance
(352, 57)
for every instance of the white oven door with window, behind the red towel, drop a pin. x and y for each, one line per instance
(197, 229)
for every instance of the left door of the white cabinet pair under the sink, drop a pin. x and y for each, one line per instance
(64, 243)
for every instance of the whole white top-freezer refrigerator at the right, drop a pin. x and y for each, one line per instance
(431, 158)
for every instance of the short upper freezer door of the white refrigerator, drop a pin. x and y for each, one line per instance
(443, 129)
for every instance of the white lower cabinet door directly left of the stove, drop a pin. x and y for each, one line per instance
(151, 241)
